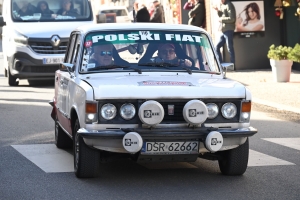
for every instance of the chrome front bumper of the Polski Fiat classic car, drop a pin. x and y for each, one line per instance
(111, 140)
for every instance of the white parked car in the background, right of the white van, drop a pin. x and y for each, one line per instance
(115, 14)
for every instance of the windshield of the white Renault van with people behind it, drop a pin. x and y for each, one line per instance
(50, 10)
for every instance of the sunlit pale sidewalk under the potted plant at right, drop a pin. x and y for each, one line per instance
(282, 96)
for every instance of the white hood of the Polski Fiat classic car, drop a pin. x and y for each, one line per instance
(165, 87)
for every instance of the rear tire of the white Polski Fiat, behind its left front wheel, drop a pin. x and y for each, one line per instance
(62, 140)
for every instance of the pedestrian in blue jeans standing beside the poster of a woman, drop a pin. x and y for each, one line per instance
(227, 18)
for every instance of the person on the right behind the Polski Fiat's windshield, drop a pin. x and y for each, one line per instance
(168, 54)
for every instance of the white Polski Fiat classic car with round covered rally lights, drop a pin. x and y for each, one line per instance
(151, 92)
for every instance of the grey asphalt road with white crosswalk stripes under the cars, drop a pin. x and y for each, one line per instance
(27, 160)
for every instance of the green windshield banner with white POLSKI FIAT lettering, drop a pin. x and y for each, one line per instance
(145, 36)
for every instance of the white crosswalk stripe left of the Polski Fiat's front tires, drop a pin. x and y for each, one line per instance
(47, 157)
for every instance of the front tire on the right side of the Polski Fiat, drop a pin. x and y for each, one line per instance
(234, 162)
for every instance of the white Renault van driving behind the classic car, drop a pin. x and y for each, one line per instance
(35, 35)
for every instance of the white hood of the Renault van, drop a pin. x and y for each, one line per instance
(47, 29)
